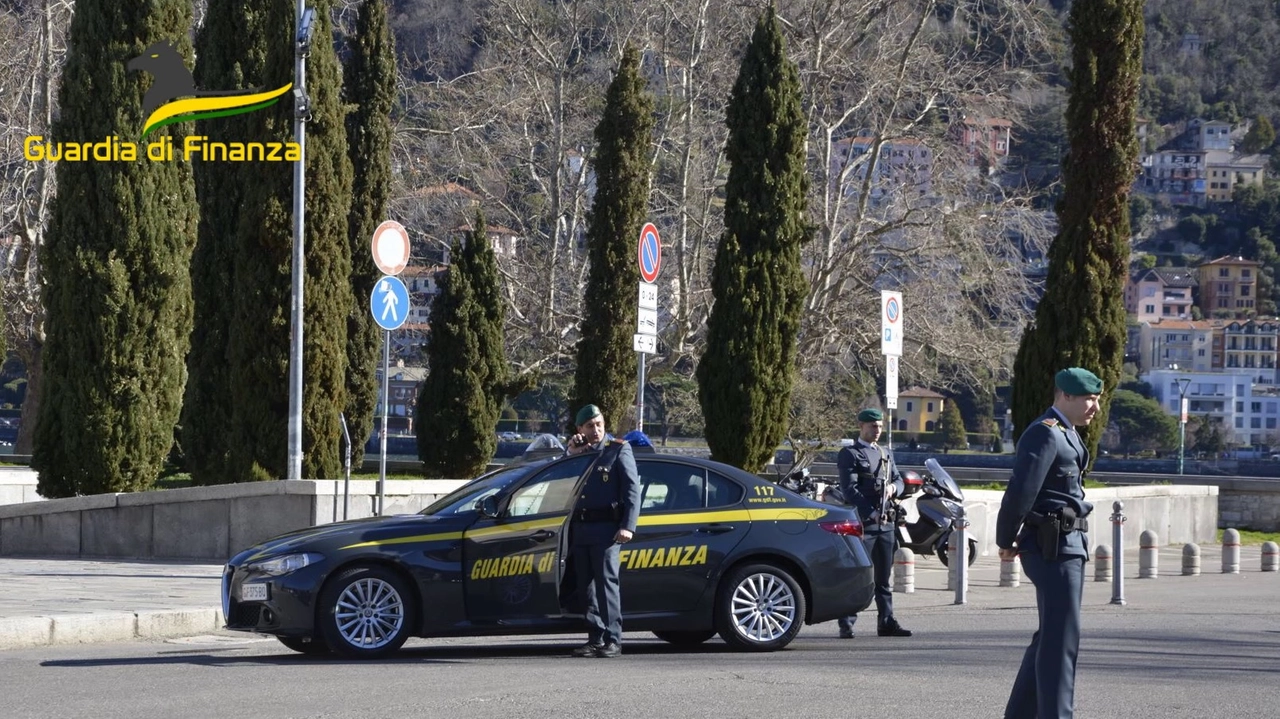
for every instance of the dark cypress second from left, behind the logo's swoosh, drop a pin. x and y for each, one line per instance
(230, 51)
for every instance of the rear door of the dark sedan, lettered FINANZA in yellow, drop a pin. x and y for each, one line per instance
(680, 542)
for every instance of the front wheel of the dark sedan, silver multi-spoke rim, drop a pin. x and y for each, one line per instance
(367, 612)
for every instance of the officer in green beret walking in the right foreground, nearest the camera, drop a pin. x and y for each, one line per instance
(1043, 520)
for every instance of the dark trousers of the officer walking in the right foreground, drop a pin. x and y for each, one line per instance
(1045, 688)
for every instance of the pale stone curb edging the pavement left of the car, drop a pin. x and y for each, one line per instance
(24, 633)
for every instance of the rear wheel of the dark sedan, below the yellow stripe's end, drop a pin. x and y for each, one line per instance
(760, 608)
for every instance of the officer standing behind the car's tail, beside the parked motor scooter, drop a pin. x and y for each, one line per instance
(868, 479)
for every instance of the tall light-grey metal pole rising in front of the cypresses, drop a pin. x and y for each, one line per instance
(299, 268)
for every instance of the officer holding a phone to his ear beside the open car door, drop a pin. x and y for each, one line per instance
(605, 519)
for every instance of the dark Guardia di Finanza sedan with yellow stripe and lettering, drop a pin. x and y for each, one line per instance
(717, 551)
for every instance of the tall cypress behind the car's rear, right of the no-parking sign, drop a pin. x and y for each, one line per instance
(746, 375)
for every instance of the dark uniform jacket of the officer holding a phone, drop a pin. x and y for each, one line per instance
(614, 484)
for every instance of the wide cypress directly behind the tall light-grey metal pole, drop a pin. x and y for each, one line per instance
(259, 337)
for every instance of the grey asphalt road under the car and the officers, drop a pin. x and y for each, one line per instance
(1182, 648)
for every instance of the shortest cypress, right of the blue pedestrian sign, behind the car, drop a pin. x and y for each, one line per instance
(455, 423)
